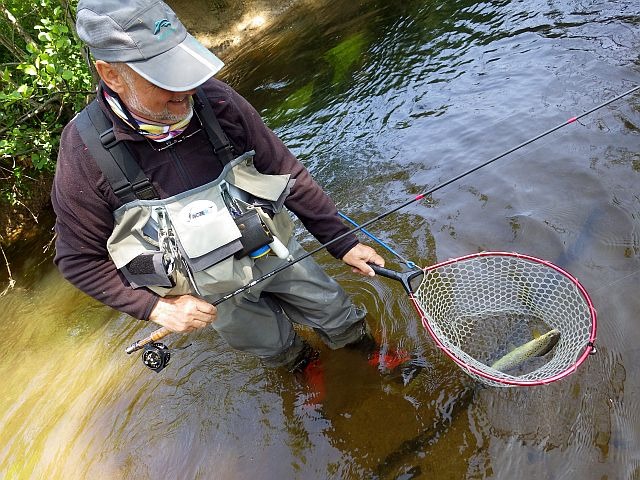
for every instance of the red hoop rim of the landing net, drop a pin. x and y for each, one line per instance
(589, 349)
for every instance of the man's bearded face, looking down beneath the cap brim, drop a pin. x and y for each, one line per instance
(153, 103)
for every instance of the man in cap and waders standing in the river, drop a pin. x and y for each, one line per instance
(150, 69)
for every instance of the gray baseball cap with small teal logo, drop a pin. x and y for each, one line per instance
(148, 36)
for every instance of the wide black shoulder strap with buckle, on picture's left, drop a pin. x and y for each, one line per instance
(114, 158)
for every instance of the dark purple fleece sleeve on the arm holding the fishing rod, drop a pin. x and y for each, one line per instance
(84, 221)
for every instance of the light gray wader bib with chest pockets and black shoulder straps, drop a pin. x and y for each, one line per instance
(202, 241)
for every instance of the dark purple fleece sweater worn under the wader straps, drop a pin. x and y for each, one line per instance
(84, 201)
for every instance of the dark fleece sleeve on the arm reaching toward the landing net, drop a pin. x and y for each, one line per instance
(307, 200)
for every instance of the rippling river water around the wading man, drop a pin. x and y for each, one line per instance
(382, 101)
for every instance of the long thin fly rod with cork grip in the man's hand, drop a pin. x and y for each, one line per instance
(162, 332)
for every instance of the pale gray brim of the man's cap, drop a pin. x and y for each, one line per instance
(182, 68)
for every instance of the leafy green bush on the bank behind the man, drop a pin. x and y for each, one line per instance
(44, 80)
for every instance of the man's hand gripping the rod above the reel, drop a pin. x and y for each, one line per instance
(183, 314)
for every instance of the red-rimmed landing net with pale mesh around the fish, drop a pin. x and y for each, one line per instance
(480, 306)
